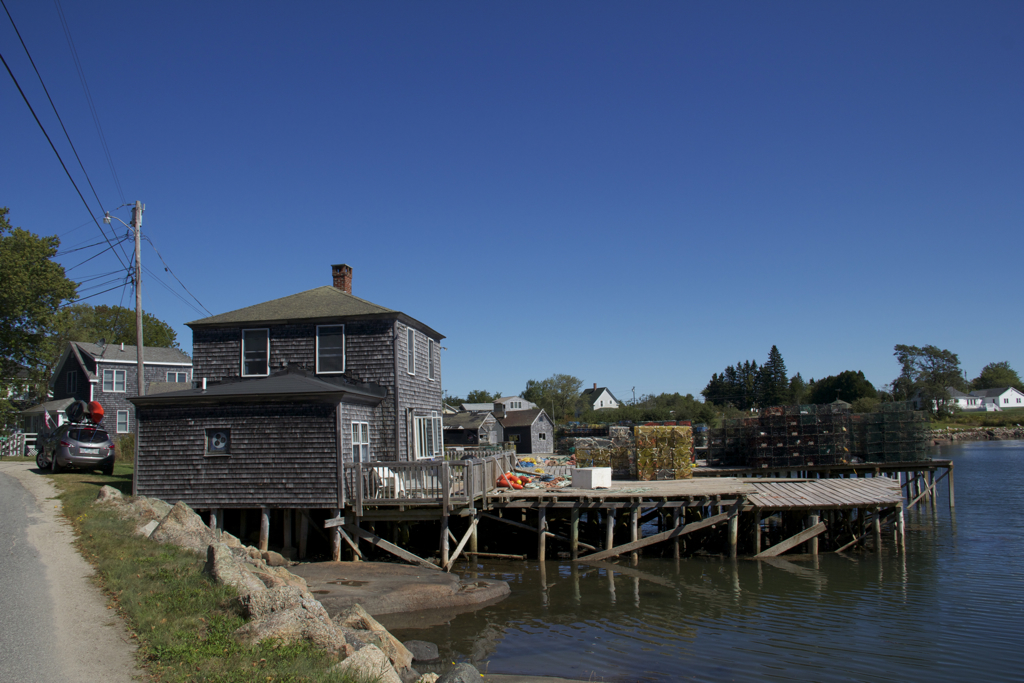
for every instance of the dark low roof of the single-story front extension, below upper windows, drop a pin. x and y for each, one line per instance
(290, 385)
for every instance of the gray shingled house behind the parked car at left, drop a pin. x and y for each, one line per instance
(109, 374)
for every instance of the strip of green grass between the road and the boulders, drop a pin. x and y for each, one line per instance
(182, 620)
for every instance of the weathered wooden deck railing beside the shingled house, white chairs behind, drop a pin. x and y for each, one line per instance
(444, 483)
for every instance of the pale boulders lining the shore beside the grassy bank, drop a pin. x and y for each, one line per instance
(278, 604)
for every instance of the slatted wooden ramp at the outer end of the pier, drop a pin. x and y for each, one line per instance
(825, 494)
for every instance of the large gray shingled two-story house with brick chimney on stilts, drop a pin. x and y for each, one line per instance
(286, 394)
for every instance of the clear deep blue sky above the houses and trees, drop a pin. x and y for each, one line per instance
(635, 194)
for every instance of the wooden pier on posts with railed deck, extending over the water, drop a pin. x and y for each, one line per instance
(846, 506)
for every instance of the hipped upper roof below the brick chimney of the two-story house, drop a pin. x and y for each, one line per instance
(324, 304)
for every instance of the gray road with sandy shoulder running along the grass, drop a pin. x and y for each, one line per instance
(55, 625)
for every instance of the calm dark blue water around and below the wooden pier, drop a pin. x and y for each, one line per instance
(950, 611)
